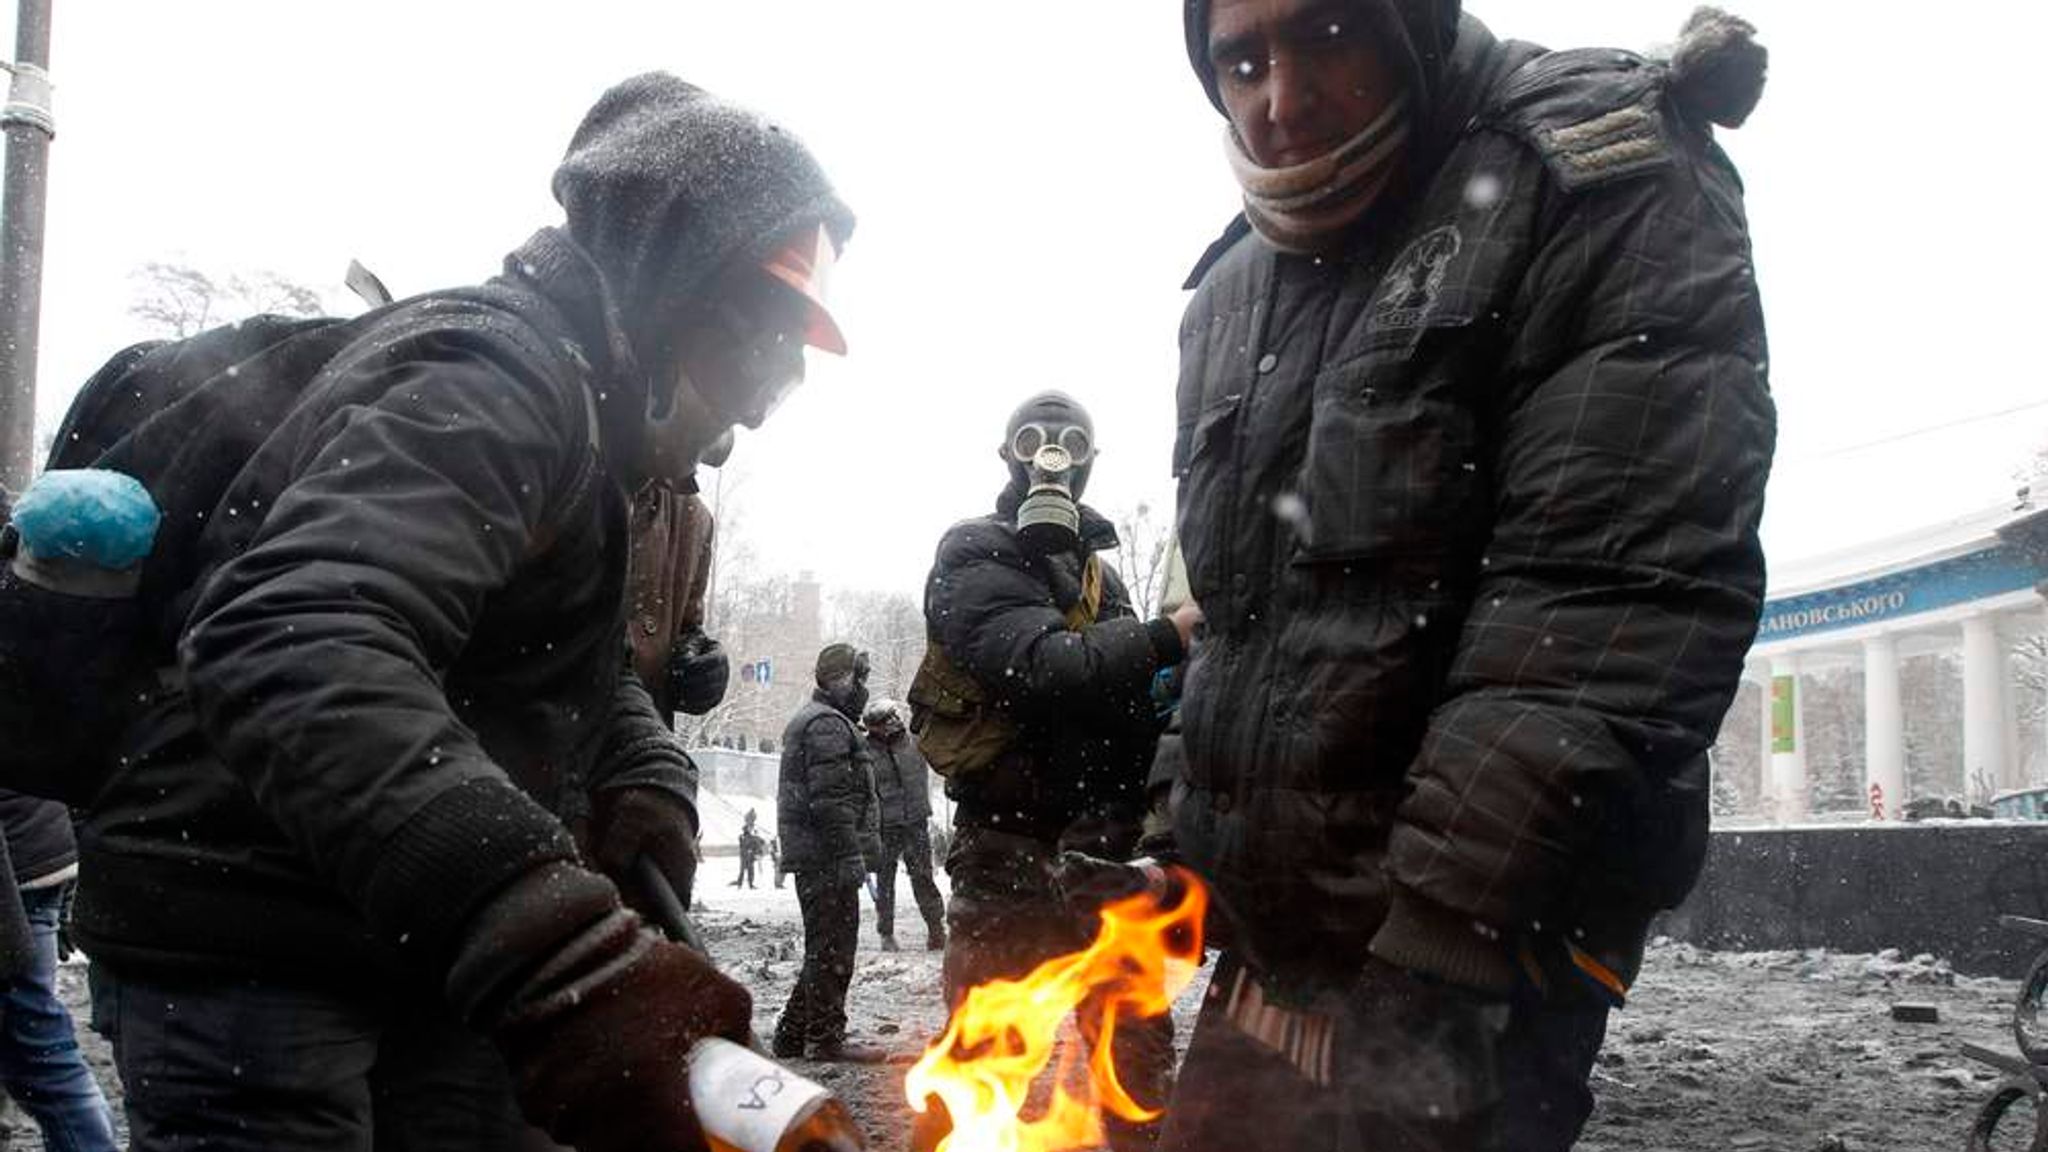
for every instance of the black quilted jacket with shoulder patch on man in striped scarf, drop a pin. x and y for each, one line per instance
(1471, 509)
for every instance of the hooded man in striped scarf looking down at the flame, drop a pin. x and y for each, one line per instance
(1471, 448)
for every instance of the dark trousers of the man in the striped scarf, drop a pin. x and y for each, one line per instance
(1412, 1069)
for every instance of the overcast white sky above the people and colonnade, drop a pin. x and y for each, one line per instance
(1033, 181)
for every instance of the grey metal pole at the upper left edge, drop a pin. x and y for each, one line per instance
(30, 128)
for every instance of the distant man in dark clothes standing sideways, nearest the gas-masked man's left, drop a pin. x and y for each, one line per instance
(826, 817)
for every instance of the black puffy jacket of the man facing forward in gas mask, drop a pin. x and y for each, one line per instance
(1080, 700)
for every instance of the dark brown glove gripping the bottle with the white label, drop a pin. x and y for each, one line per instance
(601, 1063)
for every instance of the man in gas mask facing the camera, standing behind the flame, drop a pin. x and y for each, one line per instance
(1035, 628)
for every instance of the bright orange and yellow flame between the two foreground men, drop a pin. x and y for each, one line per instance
(1005, 1032)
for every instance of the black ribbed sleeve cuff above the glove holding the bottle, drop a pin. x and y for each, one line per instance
(456, 854)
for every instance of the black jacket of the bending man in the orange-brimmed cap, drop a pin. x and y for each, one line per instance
(400, 622)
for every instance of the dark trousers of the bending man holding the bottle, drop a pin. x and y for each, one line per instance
(251, 1067)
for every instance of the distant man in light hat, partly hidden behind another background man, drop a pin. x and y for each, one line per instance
(904, 805)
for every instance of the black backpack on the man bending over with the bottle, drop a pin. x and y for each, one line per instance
(181, 417)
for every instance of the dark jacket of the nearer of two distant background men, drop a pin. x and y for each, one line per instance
(826, 809)
